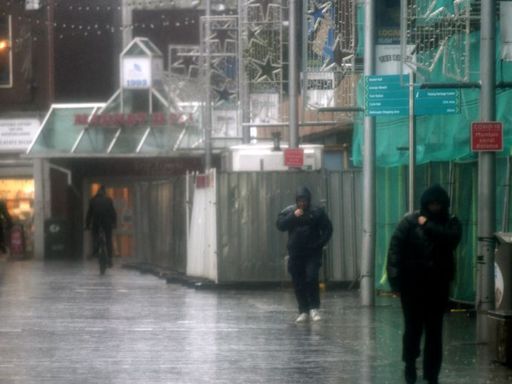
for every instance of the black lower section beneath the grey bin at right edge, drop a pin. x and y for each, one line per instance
(500, 337)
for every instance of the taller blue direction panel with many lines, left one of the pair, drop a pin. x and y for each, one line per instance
(387, 95)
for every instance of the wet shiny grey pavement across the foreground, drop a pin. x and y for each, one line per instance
(63, 323)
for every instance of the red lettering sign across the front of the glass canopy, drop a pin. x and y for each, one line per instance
(116, 120)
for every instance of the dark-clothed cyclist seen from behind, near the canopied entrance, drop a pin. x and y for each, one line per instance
(101, 215)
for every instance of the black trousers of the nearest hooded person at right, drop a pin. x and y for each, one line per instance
(423, 314)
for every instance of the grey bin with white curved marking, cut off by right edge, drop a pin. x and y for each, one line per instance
(503, 271)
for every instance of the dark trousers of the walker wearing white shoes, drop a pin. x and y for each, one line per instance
(304, 272)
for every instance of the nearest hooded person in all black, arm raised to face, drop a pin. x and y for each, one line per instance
(420, 268)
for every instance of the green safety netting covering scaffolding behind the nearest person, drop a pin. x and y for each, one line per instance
(444, 156)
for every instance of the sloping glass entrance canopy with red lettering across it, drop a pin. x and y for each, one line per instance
(103, 130)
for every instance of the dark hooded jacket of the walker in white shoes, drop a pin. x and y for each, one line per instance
(307, 234)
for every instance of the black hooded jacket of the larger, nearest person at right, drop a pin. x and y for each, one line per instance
(424, 254)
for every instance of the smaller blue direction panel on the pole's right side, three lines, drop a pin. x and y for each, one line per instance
(436, 101)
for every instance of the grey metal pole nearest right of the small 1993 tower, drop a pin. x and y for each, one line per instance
(208, 114)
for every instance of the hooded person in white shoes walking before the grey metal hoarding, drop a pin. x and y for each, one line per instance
(309, 230)
